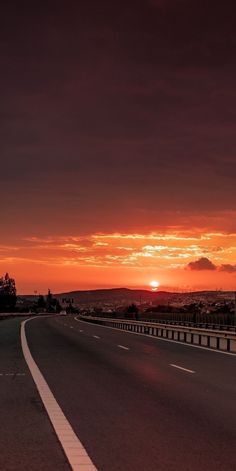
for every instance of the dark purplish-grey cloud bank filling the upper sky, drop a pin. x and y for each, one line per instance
(112, 105)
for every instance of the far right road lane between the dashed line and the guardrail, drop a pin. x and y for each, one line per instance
(217, 367)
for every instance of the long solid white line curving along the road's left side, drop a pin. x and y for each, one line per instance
(73, 448)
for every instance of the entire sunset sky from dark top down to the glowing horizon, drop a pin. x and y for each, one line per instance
(117, 144)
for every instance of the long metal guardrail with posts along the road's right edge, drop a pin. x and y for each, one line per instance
(208, 338)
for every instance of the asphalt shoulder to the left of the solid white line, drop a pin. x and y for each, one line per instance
(27, 440)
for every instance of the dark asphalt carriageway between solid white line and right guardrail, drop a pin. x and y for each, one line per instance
(131, 409)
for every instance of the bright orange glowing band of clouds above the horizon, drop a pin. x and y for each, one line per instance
(129, 259)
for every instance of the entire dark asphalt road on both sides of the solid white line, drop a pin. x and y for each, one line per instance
(125, 396)
